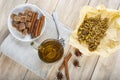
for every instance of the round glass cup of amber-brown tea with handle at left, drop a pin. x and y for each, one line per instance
(50, 50)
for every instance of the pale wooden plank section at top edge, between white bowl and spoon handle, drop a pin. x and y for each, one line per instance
(48, 5)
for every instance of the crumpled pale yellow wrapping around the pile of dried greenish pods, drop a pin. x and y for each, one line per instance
(111, 42)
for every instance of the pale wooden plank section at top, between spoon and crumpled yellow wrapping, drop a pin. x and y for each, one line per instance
(68, 11)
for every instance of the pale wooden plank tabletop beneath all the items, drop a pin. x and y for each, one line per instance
(68, 13)
